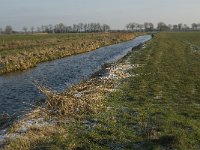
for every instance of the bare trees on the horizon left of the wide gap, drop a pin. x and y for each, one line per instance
(61, 28)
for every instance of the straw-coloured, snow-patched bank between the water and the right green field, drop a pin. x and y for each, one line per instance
(71, 106)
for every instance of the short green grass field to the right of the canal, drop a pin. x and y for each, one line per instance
(162, 103)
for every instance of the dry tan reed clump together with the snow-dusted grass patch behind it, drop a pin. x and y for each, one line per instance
(85, 97)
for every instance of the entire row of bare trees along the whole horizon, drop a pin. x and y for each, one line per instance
(97, 27)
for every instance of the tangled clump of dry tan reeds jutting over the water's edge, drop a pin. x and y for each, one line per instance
(84, 98)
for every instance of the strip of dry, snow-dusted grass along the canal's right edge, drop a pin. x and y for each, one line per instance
(86, 96)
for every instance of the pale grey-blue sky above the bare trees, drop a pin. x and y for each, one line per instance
(116, 13)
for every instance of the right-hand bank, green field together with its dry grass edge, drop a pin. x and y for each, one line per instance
(155, 105)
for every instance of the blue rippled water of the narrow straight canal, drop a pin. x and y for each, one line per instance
(18, 91)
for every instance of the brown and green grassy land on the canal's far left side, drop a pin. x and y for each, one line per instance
(20, 52)
